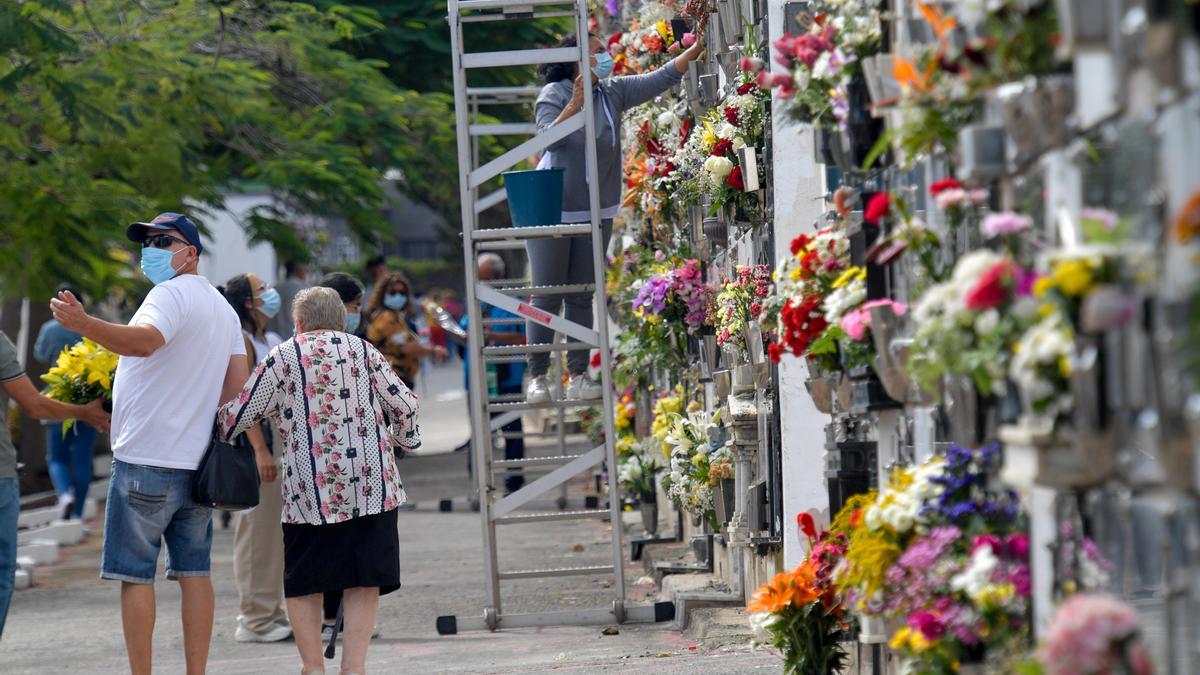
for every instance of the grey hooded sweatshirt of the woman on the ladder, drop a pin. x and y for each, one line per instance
(611, 98)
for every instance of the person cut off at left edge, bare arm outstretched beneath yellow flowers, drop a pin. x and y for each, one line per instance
(21, 389)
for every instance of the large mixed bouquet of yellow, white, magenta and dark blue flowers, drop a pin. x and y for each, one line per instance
(944, 555)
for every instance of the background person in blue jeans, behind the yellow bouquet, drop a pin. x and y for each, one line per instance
(69, 456)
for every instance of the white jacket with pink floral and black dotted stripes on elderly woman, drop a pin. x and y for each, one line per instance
(340, 409)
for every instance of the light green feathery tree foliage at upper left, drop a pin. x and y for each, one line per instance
(112, 111)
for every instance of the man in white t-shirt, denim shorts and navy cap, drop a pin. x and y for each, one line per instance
(182, 356)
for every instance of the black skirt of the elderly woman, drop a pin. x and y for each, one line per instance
(362, 552)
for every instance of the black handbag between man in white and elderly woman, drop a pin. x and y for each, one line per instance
(229, 475)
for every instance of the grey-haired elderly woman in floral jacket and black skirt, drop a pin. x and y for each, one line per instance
(340, 410)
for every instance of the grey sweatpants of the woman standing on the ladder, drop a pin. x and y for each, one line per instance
(557, 262)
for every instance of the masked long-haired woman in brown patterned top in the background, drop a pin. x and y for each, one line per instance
(391, 310)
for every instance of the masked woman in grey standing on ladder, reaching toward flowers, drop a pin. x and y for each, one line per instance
(568, 260)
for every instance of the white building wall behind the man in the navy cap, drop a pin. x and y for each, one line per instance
(227, 252)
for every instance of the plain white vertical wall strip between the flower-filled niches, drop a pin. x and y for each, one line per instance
(799, 188)
